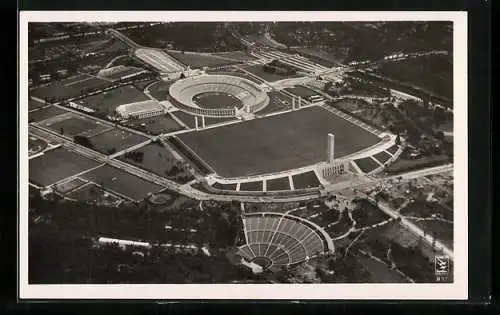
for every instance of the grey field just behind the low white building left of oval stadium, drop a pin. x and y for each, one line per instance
(106, 102)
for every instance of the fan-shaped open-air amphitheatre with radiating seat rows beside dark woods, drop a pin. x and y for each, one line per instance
(275, 240)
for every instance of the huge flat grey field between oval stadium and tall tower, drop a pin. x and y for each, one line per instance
(276, 143)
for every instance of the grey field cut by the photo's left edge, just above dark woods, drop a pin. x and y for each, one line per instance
(56, 165)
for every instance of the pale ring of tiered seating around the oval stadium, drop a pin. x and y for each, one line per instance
(249, 93)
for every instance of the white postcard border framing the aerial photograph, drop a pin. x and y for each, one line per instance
(455, 291)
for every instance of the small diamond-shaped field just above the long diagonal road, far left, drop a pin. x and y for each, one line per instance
(73, 125)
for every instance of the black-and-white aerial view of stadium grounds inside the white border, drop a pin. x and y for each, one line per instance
(210, 152)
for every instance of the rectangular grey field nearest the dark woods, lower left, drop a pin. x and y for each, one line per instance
(121, 182)
